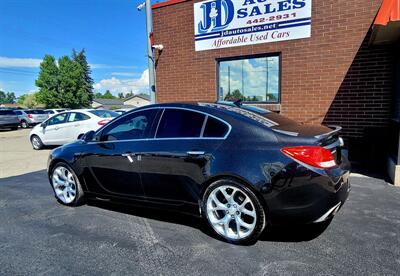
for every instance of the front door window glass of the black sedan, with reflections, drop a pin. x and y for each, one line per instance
(134, 126)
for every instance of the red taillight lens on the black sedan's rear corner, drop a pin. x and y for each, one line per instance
(315, 156)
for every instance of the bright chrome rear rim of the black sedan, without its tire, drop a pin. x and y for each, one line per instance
(231, 212)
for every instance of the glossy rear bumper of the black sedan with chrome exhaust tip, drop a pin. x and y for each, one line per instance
(304, 196)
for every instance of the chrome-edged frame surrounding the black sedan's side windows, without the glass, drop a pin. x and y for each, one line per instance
(156, 124)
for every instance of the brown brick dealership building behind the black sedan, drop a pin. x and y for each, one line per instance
(342, 72)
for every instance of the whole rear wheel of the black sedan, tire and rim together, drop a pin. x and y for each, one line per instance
(231, 210)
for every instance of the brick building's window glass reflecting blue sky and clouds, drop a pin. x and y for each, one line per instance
(254, 79)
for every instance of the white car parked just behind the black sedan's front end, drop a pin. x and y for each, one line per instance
(68, 126)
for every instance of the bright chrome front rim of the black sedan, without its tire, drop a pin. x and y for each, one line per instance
(64, 184)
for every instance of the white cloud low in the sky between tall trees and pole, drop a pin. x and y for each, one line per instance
(117, 85)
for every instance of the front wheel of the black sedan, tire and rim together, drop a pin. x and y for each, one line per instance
(66, 186)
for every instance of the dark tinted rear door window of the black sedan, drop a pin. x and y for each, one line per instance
(180, 123)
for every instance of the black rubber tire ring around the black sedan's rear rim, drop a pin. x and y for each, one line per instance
(258, 208)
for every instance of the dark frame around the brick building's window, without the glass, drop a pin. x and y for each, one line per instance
(275, 54)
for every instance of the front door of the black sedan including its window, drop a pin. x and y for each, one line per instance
(113, 161)
